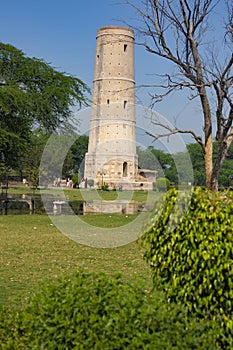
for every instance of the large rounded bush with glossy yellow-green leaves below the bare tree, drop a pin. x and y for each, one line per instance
(191, 254)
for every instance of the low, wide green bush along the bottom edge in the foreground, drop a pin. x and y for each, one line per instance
(93, 311)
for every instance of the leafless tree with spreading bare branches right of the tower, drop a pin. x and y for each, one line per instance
(179, 31)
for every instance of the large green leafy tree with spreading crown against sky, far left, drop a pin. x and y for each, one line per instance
(32, 94)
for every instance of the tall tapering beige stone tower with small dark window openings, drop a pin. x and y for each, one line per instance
(111, 156)
